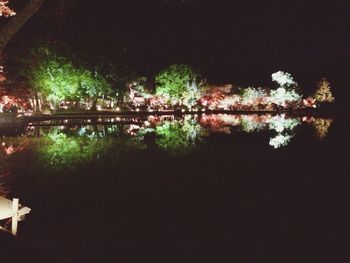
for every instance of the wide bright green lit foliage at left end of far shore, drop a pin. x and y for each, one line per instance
(58, 78)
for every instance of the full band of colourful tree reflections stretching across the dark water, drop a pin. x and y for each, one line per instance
(65, 147)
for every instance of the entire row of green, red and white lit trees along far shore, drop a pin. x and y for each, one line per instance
(52, 79)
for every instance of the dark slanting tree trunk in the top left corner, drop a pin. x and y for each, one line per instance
(18, 21)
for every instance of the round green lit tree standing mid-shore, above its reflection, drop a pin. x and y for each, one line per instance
(176, 82)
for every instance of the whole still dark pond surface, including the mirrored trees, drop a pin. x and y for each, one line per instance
(207, 188)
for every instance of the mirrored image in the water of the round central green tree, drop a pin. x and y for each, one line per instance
(179, 138)
